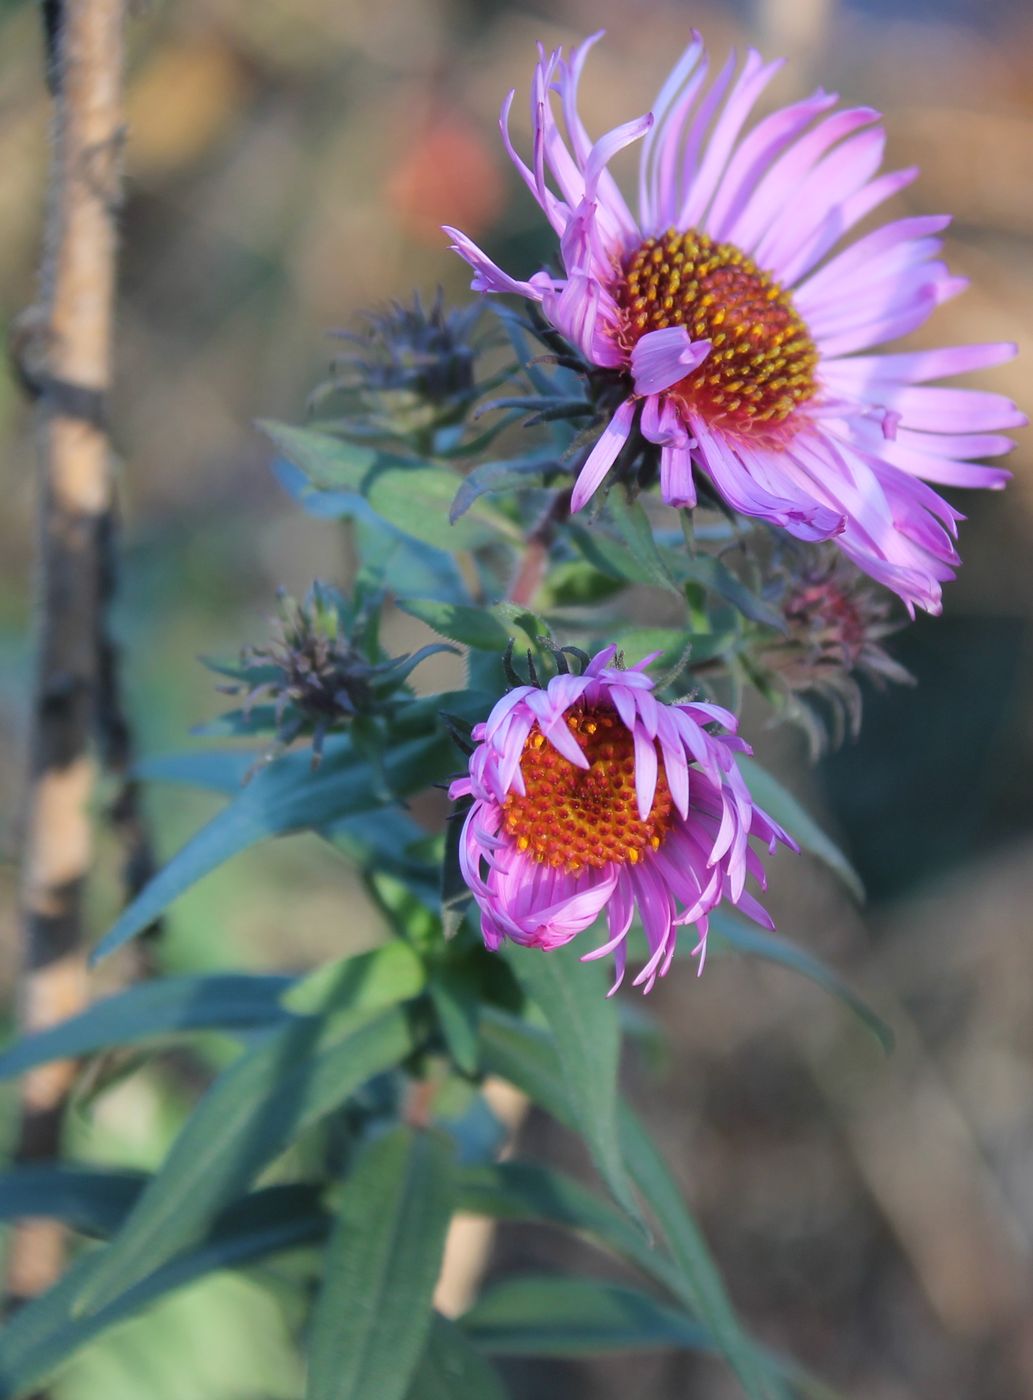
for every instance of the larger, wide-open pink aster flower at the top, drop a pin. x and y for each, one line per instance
(748, 346)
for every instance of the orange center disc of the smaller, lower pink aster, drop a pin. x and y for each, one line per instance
(569, 817)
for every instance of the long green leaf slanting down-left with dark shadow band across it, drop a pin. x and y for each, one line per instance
(250, 1115)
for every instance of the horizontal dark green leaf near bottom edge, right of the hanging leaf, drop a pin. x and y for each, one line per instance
(548, 1317)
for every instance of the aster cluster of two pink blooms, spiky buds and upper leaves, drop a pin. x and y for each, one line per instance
(723, 339)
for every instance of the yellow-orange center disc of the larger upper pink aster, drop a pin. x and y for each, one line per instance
(762, 360)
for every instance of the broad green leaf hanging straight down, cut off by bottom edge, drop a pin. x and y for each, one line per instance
(373, 1317)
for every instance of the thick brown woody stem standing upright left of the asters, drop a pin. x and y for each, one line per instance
(64, 353)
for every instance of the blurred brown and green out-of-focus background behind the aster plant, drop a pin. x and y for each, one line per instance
(288, 166)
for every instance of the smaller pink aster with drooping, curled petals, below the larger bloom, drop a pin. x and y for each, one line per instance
(593, 796)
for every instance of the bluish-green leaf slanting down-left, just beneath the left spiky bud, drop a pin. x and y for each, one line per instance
(285, 797)
